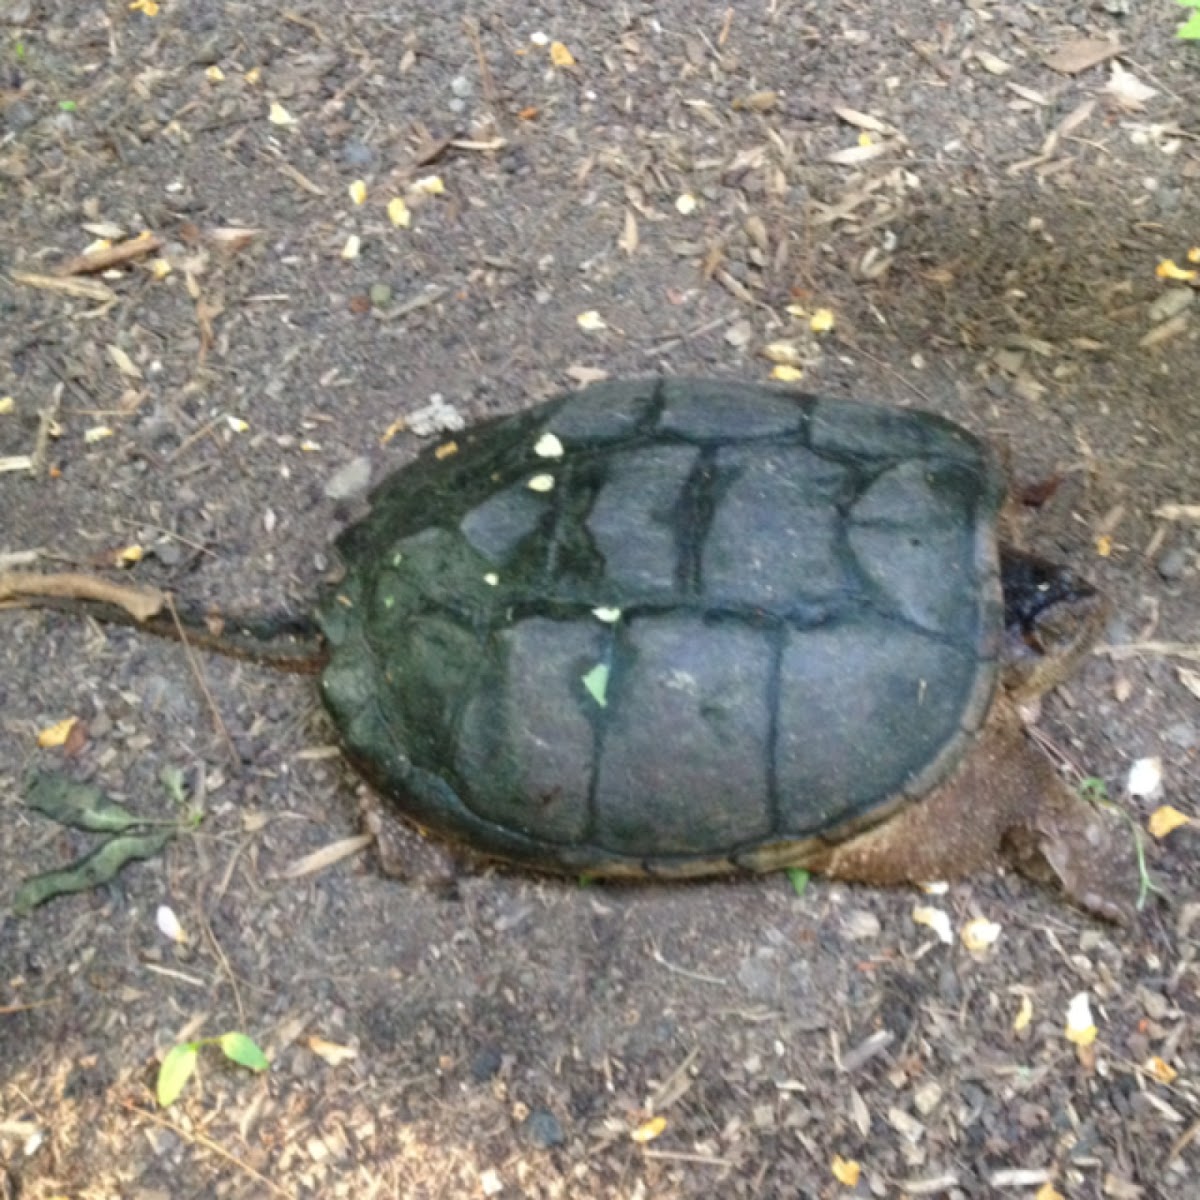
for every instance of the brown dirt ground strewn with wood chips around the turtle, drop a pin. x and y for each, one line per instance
(986, 224)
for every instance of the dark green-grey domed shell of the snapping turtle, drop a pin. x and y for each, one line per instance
(670, 627)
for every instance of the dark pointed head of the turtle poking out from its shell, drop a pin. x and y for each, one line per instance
(1053, 619)
